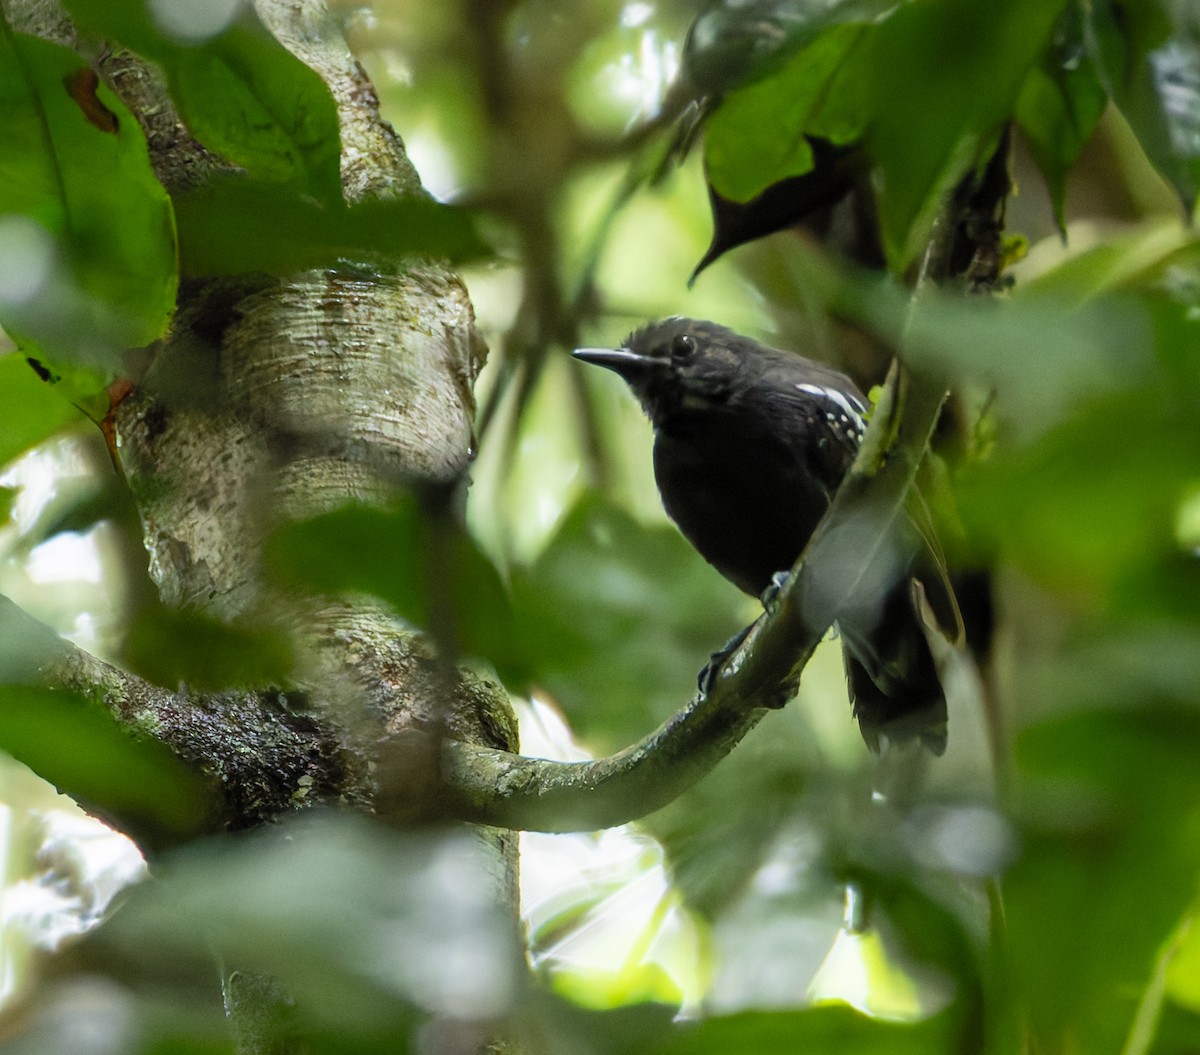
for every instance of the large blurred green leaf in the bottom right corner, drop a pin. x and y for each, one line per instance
(1109, 806)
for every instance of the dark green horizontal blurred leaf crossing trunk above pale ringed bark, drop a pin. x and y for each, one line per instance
(236, 226)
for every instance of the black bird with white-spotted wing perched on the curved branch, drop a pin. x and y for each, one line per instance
(751, 446)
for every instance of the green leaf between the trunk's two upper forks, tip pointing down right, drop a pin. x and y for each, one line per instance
(241, 93)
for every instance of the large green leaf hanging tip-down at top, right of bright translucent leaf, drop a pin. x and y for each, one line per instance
(945, 77)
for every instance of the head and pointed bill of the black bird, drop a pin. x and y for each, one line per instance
(675, 365)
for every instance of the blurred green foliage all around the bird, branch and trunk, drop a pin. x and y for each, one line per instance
(1040, 892)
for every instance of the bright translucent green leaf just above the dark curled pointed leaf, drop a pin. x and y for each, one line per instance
(760, 134)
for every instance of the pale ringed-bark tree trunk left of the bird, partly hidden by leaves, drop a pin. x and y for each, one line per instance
(280, 399)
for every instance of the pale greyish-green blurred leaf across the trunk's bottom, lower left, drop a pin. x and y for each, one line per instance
(364, 927)
